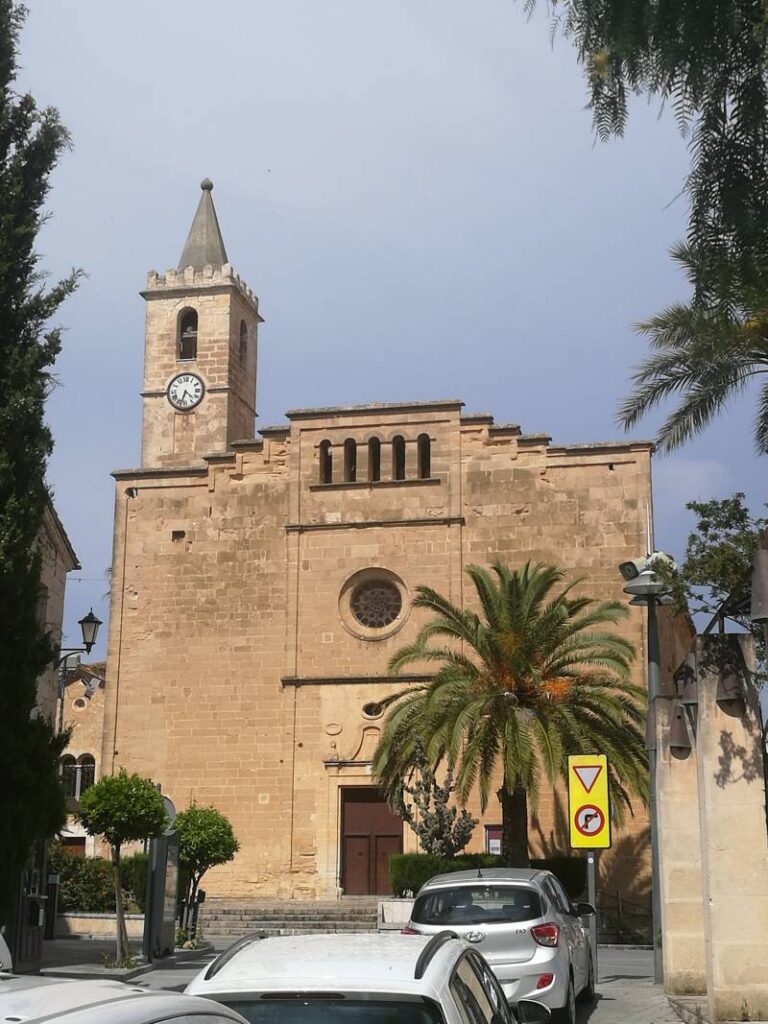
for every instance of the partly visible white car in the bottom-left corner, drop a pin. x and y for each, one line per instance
(59, 1001)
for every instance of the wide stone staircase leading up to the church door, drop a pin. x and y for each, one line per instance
(229, 919)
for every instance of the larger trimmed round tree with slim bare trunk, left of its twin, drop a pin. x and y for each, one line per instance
(123, 809)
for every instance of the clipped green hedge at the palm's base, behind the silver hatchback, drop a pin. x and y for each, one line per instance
(409, 872)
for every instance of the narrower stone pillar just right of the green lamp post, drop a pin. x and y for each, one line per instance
(682, 912)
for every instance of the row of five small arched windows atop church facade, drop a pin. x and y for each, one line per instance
(365, 461)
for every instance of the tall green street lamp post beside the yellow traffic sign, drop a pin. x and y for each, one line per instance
(648, 588)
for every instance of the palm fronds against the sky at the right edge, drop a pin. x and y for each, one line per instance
(707, 356)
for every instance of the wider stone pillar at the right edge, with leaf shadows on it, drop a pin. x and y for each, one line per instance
(735, 840)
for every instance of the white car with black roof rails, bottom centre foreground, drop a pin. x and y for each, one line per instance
(359, 979)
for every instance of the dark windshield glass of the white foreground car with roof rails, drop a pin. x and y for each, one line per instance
(298, 1008)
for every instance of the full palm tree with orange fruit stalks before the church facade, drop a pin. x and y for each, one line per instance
(536, 677)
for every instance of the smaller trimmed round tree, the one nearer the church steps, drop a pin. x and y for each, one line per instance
(206, 839)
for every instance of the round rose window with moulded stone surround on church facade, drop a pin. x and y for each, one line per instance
(373, 604)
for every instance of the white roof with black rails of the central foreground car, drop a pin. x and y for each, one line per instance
(334, 963)
